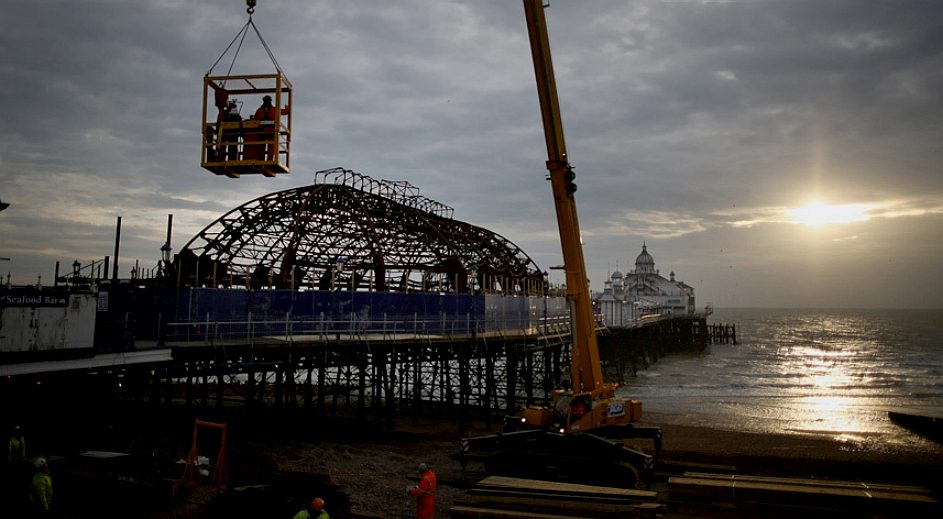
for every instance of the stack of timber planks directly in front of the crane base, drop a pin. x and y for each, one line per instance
(503, 497)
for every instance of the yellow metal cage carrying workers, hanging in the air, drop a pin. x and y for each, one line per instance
(246, 124)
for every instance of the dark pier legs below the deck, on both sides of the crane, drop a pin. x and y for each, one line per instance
(477, 378)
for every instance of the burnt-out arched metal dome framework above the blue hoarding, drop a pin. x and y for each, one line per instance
(349, 231)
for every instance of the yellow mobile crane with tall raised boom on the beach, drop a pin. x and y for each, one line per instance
(579, 435)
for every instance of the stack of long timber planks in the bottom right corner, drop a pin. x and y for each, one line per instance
(733, 495)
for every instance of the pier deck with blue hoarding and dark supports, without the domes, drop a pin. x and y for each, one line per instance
(352, 357)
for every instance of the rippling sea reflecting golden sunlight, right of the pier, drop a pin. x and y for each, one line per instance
(824, 372)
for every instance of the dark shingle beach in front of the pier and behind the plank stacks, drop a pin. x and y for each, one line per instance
(363, 467)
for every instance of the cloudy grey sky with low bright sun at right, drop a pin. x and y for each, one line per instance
(771, 153)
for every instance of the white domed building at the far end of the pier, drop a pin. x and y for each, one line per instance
(643, 294)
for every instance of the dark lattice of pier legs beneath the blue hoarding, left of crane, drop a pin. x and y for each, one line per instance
(461, 379)
